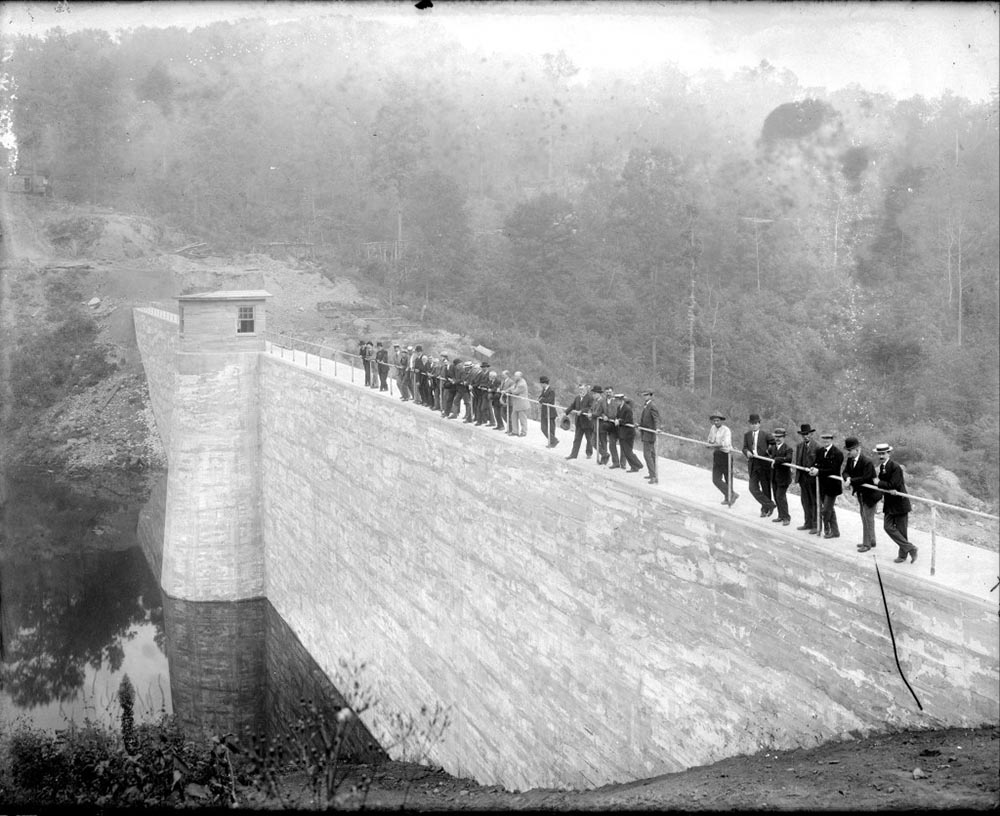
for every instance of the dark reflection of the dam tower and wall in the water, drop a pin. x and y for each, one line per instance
(237, 668)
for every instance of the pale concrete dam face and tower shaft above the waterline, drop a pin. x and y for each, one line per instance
(582, 630)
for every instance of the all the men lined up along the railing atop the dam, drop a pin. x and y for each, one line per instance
(605, 422)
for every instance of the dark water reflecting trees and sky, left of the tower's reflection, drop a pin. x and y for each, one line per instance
(80, 606)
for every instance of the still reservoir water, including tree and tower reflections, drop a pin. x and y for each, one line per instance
(82, 607)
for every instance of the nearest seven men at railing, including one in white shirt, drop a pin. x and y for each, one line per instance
(821, 471)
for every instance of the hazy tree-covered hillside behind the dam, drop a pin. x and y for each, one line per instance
(743, 244)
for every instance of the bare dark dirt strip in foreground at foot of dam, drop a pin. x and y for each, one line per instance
(926, 770)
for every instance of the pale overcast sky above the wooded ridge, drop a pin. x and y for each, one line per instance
(900, 48)
